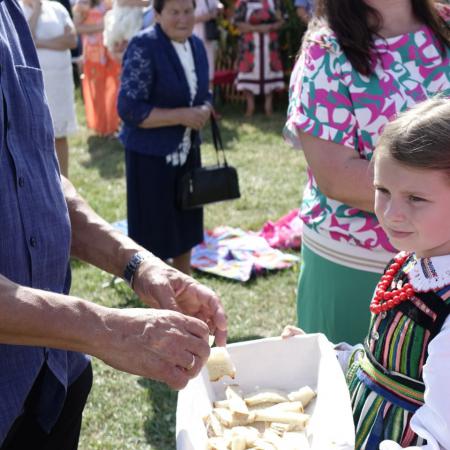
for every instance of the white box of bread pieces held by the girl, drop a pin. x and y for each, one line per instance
(267, 394)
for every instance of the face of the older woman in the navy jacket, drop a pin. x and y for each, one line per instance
(177, 19)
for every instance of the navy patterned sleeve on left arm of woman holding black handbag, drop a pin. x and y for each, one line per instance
(134, 101)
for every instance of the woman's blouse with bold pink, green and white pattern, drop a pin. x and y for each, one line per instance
(331, 100)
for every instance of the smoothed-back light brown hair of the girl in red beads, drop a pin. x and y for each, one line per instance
(420, 136)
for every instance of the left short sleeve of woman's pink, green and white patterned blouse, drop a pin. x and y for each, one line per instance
(319, 98)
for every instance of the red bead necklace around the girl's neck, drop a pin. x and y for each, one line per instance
(384, 300)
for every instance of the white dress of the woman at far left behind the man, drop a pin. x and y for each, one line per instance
(56, 67)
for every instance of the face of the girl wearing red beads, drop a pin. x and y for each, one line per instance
(413, 206)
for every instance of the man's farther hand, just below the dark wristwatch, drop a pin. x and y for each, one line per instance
(161, 286)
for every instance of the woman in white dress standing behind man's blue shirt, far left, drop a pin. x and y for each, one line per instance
(54, 35)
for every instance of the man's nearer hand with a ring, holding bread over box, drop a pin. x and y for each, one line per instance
(156, 344)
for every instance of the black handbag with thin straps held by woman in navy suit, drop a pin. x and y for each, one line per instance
(209, 184)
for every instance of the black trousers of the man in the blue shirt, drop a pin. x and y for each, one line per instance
(26, 434)
